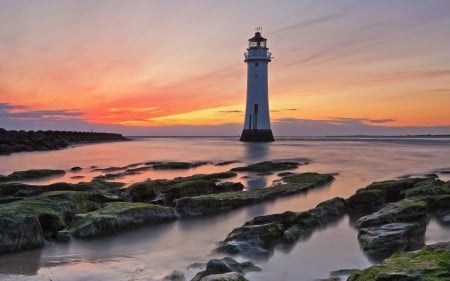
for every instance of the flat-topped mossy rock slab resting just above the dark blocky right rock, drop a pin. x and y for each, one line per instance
(406, 210)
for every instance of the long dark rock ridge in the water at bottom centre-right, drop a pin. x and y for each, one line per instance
(259, 236)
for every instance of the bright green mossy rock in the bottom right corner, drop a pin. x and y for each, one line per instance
(428, 264)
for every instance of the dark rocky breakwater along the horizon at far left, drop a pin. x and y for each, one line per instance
(19, 141)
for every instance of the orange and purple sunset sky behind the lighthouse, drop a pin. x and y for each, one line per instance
(176, 67)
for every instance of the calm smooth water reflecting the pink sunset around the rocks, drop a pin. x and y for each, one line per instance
(150, 253)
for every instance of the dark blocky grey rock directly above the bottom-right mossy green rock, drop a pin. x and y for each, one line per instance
(381, 241)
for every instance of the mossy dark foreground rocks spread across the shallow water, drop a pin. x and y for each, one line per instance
(391, 216)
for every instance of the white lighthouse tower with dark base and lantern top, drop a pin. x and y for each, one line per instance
(257, 120)
